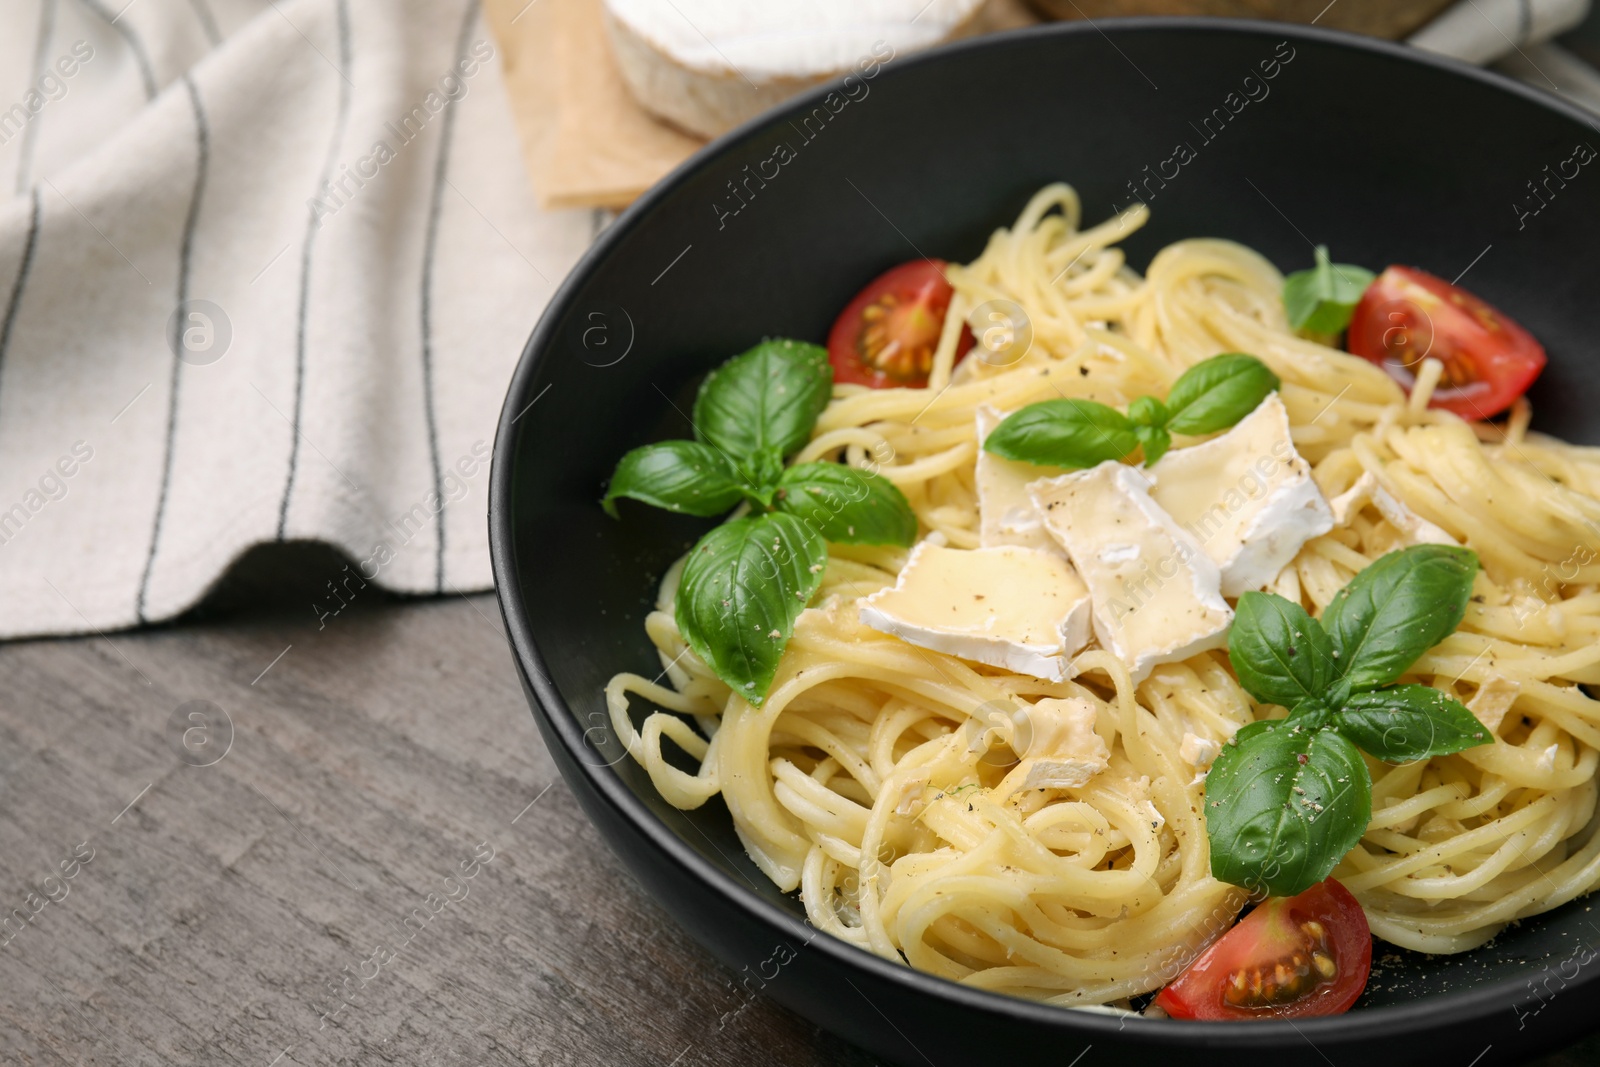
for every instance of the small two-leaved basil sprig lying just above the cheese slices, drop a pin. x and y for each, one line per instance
(1210, 396)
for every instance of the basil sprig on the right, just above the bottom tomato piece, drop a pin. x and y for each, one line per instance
(1287, 799)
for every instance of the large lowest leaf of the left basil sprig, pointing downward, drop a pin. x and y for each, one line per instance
(743, 586)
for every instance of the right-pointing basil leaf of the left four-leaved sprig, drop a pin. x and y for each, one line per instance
(847, 505)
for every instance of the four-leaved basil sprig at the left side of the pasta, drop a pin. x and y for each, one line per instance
(748, 580)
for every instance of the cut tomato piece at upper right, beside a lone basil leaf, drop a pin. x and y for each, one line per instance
(1409, 316)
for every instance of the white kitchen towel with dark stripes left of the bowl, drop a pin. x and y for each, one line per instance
(265, 273)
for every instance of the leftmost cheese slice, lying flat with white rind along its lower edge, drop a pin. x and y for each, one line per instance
(1009, 607)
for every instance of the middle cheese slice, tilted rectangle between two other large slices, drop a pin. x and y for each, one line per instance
(1156, 593)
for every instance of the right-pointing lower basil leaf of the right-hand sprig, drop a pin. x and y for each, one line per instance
(1410, 722)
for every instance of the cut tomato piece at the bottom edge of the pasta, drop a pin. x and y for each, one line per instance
(1302, 956)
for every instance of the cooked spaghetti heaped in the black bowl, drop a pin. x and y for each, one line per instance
(884, 781)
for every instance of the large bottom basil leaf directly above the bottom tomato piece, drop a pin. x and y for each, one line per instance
(1284, 805)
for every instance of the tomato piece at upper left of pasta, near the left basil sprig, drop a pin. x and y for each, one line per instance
(887, 335)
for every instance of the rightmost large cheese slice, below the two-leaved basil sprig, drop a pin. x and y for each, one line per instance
(1247, 497)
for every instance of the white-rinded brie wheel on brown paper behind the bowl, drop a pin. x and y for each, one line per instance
(710, 65)
